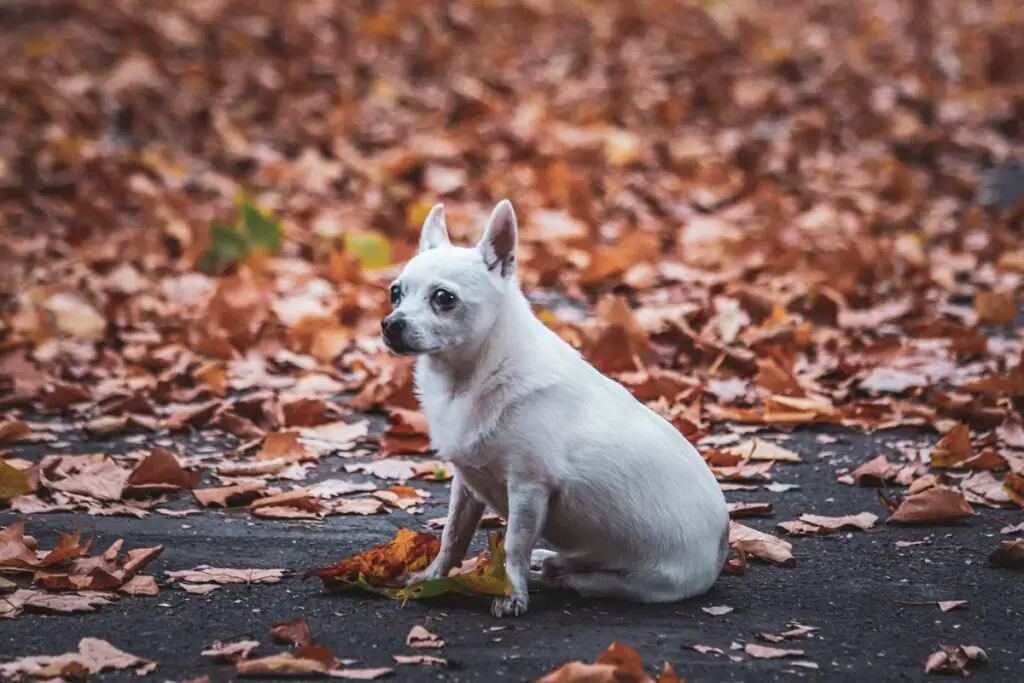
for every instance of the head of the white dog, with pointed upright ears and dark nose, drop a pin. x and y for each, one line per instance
(449, 297)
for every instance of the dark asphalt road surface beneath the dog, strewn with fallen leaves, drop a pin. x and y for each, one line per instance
(849, 586)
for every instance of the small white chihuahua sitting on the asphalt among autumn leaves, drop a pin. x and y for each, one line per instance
(535, 432)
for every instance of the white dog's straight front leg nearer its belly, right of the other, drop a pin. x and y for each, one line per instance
(528, 509)
